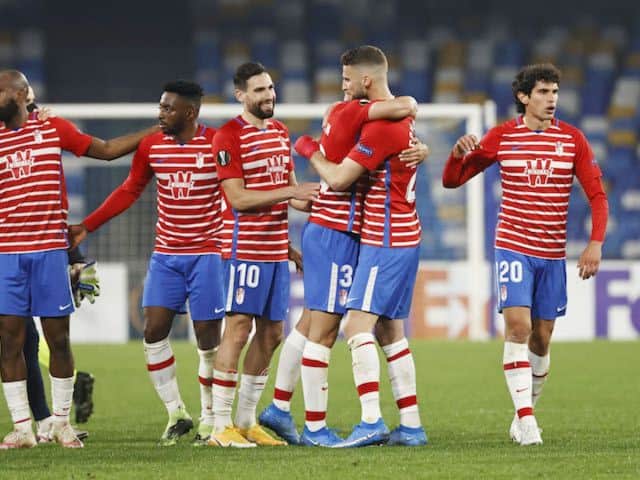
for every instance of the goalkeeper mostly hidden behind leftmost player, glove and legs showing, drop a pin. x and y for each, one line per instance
(85, 284)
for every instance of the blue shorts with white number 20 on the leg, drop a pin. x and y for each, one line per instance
(537, 283)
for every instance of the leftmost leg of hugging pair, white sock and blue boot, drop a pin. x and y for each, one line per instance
(277, 416)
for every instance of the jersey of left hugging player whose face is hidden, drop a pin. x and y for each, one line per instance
(341, 210)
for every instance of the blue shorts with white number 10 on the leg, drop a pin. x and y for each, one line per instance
(260, 289)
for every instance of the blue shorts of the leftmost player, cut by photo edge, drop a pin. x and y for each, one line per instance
(35, 284)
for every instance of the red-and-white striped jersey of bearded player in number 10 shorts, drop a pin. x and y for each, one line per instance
(262, 158)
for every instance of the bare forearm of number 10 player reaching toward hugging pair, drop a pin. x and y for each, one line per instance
(244, 199)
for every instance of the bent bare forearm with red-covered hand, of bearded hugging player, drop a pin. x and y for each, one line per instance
(339, 176)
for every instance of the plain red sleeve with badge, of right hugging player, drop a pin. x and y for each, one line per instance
(378, 141)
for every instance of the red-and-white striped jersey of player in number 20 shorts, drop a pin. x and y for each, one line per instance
(537, 170)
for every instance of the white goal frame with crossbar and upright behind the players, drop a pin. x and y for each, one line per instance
(476, 119)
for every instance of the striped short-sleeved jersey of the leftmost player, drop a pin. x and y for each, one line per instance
(33, 195)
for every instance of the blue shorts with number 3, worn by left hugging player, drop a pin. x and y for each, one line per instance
(329, 256)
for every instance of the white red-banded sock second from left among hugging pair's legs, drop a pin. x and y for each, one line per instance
(315, 373)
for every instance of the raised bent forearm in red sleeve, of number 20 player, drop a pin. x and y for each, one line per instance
(466, 160)
